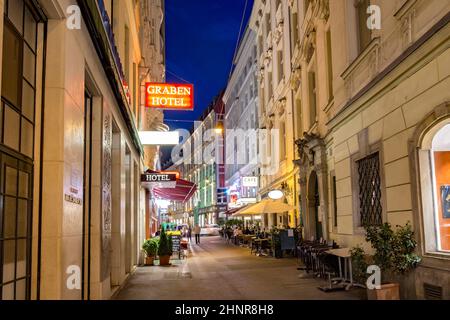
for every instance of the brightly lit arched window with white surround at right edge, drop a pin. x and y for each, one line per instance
(434, 158)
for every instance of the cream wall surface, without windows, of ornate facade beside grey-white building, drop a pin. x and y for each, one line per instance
(283, 112)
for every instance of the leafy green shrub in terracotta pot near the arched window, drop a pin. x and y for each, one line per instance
(394, 255)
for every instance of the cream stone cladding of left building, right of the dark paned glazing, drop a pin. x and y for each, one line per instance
(69, 54)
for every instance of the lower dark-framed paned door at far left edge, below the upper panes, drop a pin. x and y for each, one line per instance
(16, 200)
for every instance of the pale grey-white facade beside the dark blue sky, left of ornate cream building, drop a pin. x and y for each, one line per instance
(241, 123)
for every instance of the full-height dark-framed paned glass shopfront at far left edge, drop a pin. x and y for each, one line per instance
(17, 121)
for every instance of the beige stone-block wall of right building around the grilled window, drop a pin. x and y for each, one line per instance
(390, 112)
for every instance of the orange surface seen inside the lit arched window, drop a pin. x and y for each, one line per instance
(442, 169)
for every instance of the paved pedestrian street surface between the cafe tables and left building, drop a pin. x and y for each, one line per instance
(217, 270)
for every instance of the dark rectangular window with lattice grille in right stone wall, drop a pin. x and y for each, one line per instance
(369, 183)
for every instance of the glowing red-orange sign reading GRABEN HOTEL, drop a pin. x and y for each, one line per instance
(169, 96)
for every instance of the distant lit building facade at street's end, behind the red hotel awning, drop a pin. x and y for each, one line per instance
(200, 159)
